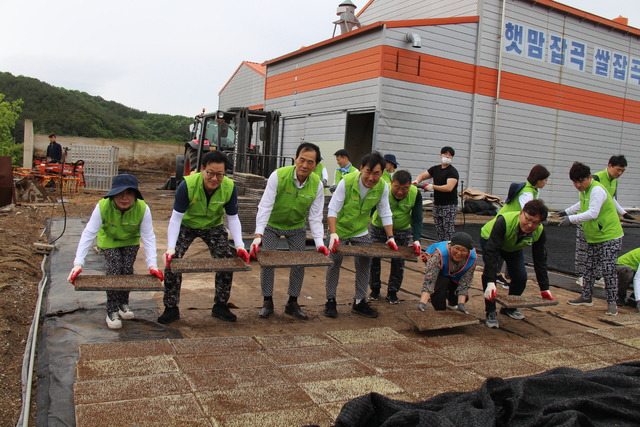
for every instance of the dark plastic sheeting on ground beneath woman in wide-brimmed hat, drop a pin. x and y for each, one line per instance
(70, 318)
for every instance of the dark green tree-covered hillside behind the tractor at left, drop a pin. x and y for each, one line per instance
(75, 113)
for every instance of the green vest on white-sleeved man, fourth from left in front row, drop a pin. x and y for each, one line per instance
(353, 218)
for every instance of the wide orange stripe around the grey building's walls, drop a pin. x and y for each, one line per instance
(404, 65)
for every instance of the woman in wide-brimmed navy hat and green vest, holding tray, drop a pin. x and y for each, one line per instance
(119, 221)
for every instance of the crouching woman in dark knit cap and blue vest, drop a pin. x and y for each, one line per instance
(449, 273)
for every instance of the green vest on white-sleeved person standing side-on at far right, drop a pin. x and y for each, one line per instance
(607, 225)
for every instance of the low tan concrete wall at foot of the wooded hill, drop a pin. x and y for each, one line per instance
(132, 155)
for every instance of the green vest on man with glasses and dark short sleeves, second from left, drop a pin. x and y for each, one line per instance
(199, 214)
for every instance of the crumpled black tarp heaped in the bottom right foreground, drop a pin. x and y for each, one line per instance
(559, 397)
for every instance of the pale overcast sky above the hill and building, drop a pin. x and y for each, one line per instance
(172, 56)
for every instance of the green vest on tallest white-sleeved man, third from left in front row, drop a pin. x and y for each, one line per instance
(291, 206)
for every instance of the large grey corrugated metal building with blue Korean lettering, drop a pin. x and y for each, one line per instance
(568, 85)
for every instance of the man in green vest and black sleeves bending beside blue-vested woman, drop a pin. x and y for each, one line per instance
(505, 236)
